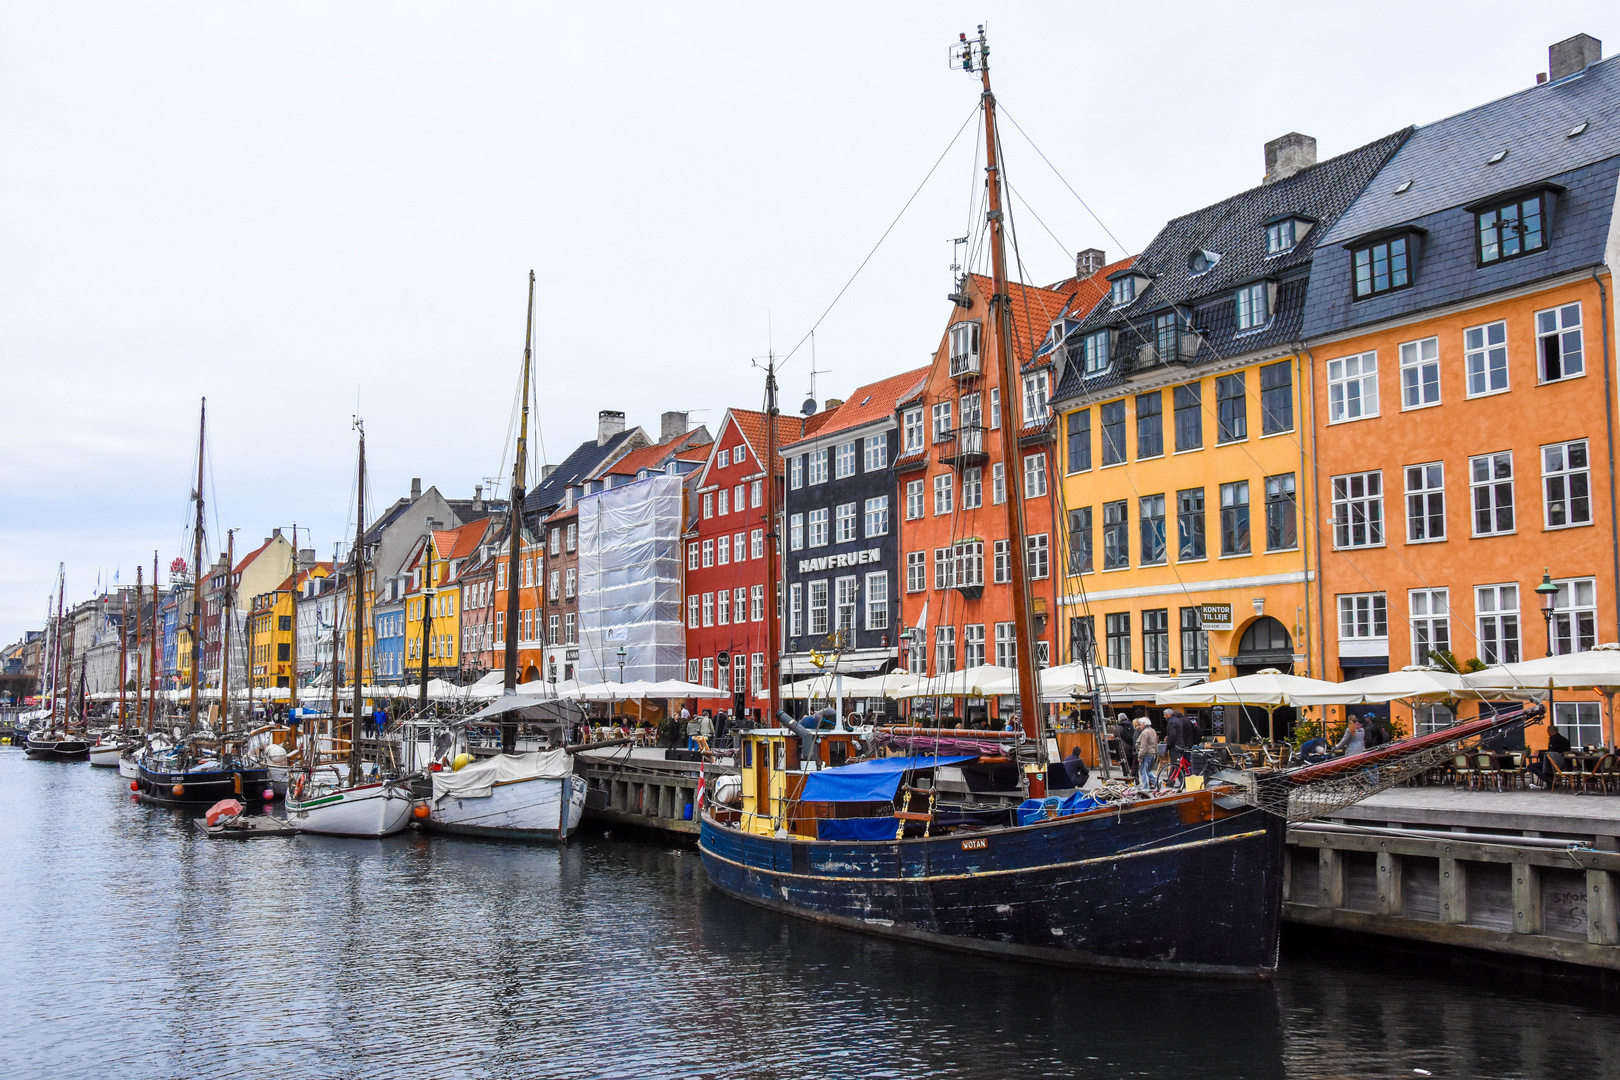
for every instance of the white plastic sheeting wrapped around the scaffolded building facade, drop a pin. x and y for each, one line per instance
(631, 582)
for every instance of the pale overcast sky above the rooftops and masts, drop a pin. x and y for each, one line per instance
(307, 213)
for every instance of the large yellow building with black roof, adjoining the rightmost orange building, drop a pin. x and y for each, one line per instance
(1185, 435)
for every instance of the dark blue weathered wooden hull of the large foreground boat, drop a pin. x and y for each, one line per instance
(1145, 890)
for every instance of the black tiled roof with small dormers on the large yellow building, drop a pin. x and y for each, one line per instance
(1234, 231)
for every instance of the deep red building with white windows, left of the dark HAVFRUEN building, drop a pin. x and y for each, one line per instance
(725, 571)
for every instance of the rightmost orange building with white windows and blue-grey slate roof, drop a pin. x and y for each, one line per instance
(1460, 330)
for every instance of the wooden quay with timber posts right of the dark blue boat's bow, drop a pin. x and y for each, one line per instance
(1527, 875)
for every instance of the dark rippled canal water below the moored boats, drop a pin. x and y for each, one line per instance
(135, 948)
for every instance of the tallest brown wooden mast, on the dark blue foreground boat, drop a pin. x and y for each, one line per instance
(976, 59)
